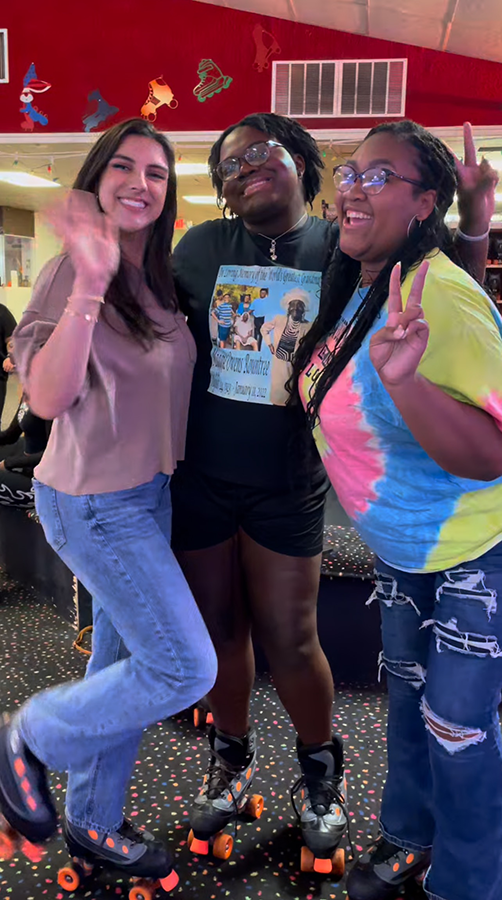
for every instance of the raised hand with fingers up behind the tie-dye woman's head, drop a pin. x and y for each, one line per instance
(476, 188)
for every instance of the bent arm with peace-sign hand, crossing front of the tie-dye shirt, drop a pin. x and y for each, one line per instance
(462, 438)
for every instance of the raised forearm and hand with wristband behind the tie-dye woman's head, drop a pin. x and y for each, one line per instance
(476, 204)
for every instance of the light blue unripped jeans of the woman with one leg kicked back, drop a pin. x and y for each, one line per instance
(151, 657)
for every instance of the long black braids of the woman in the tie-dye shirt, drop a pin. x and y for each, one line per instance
(437, 170)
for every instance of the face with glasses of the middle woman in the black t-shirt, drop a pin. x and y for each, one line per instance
(259, 192)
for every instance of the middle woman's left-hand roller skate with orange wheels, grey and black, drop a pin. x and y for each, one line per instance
(223, 796)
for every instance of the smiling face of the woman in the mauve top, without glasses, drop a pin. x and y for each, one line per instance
(133, 187)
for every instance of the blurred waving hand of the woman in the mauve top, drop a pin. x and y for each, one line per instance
(90, 238)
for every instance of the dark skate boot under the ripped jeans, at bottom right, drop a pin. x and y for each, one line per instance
(385, 871)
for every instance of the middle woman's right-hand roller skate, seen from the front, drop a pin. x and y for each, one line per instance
(322, 813)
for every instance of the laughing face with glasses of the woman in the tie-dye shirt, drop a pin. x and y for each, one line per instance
(374, 226)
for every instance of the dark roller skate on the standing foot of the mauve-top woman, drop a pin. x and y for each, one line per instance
(129, 850)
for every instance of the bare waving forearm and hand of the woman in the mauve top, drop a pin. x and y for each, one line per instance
(57, 373)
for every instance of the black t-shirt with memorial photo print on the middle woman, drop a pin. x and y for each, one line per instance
(239, 429)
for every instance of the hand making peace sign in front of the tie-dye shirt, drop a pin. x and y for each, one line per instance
(398, 347)
